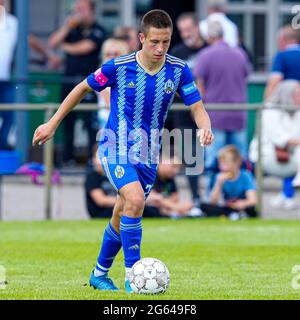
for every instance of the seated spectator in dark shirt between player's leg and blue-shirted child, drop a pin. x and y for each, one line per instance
(164, 198)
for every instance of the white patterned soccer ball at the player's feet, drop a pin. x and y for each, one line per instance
(149, 276)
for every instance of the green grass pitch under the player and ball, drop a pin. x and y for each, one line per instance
(207, 259)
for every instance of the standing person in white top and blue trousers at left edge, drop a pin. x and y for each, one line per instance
(8, 41)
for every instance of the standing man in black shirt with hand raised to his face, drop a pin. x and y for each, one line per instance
(80, 38)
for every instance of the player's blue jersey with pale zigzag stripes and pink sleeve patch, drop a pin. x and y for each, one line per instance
(140, 101)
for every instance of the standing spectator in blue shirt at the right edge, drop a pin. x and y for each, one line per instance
(286, 64)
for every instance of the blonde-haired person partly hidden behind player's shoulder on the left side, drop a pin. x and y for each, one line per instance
(111, 48)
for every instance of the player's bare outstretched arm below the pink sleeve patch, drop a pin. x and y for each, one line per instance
(47, 130)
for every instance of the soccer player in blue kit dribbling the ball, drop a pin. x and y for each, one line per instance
(143, 85)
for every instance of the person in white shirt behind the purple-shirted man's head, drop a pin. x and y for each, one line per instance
(216, 12)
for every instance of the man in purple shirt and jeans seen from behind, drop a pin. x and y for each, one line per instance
(222, 72)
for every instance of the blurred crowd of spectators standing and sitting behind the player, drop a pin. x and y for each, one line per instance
(221, 65)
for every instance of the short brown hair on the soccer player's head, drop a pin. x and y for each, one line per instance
(158, 19)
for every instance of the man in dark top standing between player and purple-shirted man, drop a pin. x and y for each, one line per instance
(188, 27)
